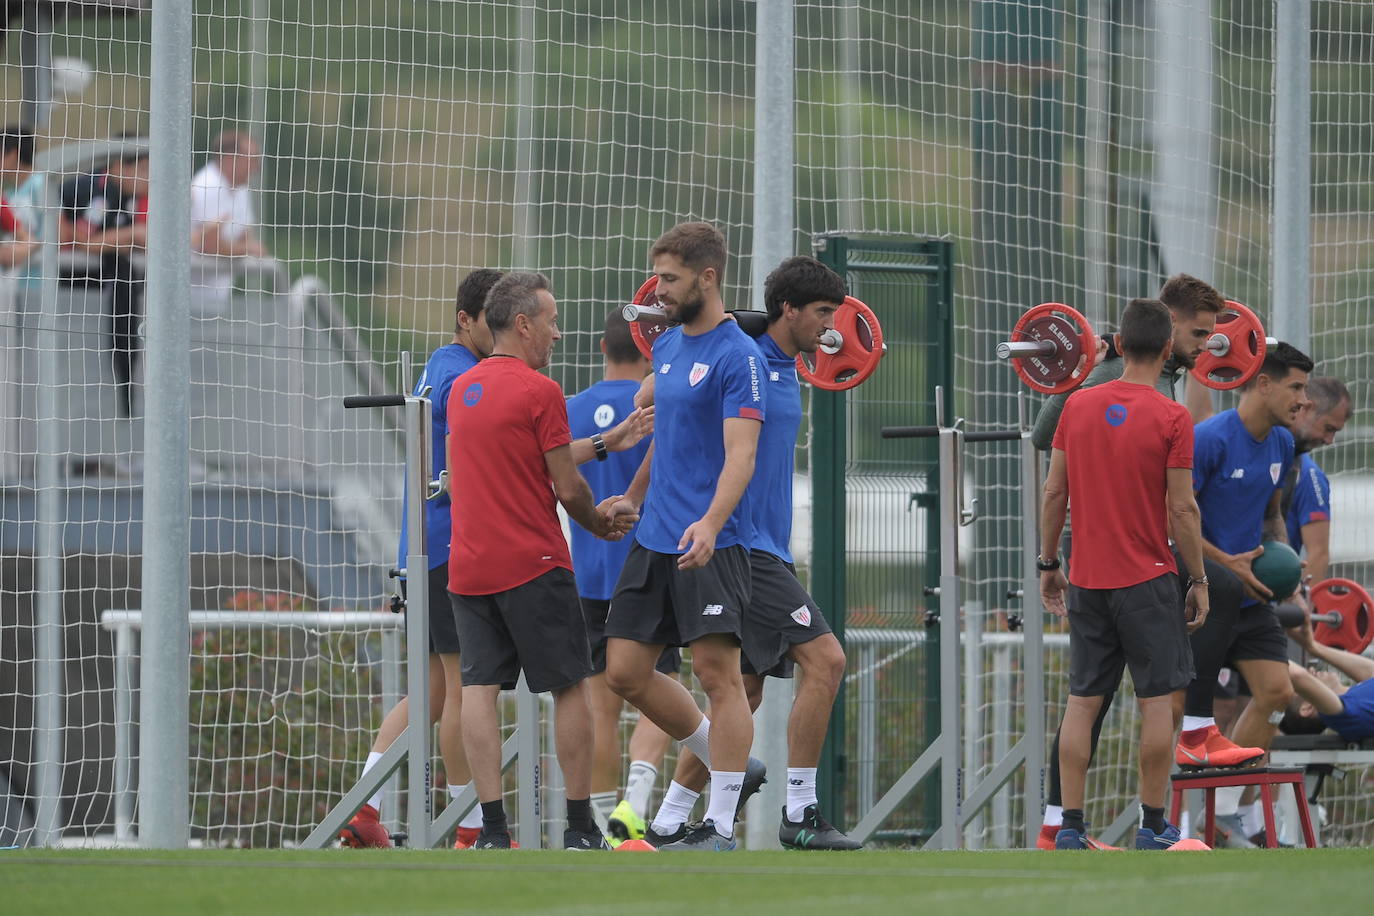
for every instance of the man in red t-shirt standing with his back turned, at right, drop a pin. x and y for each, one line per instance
(1123, 455)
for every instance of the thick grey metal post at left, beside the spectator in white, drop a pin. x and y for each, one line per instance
(164, 745)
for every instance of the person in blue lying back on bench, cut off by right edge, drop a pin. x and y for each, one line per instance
(1322, 698)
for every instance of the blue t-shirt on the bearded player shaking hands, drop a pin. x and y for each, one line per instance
(701, 381)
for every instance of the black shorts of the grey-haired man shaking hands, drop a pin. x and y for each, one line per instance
(537, 628)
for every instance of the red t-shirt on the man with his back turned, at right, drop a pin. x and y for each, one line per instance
(1119, 442)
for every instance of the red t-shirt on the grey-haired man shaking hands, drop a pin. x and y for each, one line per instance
(502, 418)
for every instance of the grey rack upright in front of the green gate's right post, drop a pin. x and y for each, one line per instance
(951, 512)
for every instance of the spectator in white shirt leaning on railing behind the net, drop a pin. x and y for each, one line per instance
(223, 219)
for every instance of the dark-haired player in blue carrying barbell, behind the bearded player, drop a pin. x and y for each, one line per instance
(784, 626)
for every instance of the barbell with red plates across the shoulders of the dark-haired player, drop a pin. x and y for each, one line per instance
(848, 355)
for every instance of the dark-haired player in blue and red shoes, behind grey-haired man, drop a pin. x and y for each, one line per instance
(472, 343)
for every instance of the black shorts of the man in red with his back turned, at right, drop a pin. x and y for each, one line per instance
(1138, 627)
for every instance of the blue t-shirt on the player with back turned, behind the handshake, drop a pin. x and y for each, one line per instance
(597, 564)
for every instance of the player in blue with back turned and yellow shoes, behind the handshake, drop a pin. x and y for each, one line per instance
(597, 565)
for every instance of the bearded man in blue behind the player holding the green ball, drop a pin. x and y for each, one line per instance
(1307, 495)
